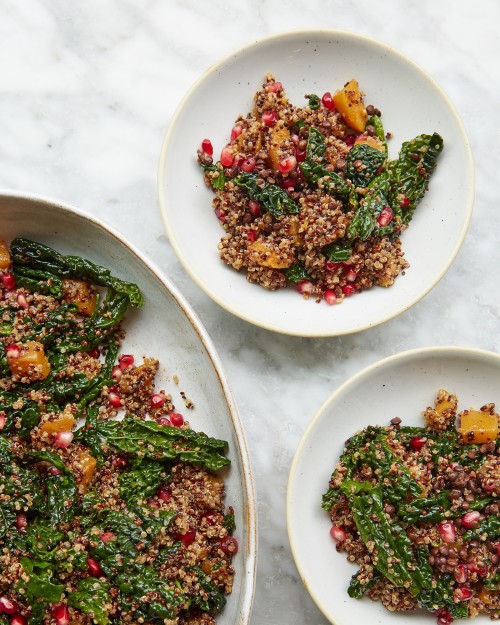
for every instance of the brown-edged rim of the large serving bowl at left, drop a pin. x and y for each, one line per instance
(249, 571)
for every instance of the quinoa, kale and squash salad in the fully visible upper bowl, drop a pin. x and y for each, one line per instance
(307, 195)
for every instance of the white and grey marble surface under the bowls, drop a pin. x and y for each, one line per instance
(87, 91)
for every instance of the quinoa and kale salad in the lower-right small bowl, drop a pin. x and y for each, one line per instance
(418, 510)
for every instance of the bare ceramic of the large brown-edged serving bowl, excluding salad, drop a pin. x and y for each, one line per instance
(166, 328)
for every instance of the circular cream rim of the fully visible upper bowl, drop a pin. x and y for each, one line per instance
(274, 37)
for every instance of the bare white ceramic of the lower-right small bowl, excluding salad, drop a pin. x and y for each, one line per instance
(399, 386)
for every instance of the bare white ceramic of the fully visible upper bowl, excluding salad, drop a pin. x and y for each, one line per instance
(315, 61)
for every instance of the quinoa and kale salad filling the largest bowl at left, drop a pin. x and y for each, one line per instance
(102, 520)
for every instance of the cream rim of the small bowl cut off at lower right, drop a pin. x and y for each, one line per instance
(394, 359)
